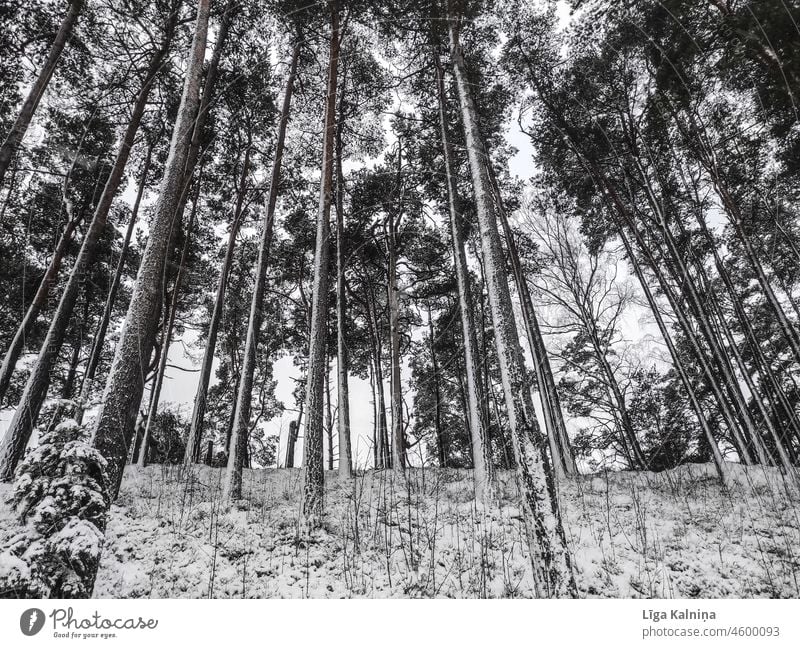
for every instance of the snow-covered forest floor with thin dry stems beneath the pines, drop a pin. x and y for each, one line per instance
(672, 534)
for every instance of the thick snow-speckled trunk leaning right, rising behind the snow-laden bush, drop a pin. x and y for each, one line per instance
(125, 383)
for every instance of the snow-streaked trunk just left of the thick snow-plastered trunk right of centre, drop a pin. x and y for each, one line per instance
(477, 401)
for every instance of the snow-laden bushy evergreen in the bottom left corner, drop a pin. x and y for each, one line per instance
(61, 498)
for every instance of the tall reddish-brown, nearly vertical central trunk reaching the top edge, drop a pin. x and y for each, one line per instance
(313, 475)
